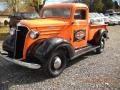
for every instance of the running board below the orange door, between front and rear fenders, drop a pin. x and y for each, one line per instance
(84, 50)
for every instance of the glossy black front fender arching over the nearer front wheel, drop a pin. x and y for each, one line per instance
(43, 49)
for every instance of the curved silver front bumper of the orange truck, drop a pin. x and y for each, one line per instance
(20, 62)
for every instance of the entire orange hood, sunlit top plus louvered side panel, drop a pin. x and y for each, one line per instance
(47, 27)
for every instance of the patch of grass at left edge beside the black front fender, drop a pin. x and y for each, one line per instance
(4, 31)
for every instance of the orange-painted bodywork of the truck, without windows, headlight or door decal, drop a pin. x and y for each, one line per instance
(61, 27)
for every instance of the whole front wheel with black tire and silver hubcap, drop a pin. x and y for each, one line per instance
(56, 64)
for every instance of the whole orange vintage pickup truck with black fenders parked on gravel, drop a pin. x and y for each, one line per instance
(61, 34)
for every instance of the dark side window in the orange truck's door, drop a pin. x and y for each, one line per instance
(80, 15)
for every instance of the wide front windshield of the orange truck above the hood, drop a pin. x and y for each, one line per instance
(56, 12)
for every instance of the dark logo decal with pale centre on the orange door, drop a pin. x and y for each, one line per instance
(79, 35)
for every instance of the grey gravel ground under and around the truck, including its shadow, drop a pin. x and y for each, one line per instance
(88, 72)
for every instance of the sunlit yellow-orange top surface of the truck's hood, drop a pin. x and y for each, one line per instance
(42, 23)
